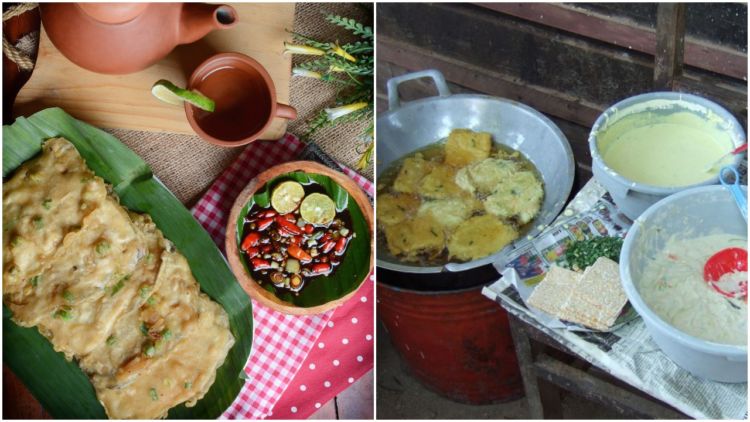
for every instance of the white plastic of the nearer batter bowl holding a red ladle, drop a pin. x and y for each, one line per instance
(694, 212)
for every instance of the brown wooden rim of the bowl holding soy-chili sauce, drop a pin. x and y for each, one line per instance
(253, 288)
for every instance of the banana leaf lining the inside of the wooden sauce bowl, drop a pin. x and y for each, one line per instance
(356, 263)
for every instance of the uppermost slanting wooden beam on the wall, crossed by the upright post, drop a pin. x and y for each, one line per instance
(622, 33)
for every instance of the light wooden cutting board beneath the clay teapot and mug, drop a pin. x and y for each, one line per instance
(125, 101)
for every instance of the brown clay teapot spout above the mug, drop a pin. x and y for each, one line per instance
(198, 19)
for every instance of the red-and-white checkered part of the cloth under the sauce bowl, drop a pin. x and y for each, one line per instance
(276, 334)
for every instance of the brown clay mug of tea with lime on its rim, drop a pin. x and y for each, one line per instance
(245, 99)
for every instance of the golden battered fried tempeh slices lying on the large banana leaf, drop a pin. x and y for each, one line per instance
(106, 288)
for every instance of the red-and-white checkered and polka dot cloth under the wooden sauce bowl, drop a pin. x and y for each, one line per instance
(323, 354)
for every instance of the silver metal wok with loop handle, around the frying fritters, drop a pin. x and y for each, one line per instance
(409, 126)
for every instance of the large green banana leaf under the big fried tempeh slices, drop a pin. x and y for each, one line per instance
(61, 387)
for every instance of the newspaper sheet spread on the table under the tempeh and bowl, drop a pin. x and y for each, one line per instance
(627, 352)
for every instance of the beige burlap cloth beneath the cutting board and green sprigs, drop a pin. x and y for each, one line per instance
(187, 165)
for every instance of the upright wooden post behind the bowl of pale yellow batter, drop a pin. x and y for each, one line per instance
(670, 45)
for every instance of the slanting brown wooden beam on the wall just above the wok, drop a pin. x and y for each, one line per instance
(546, 100)
